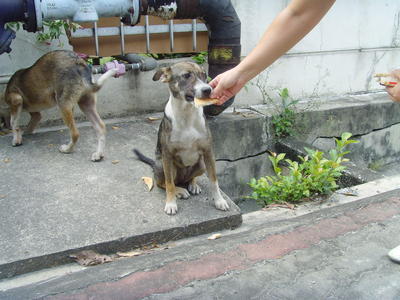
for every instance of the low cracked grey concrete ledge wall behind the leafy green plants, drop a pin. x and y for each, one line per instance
(372, 118)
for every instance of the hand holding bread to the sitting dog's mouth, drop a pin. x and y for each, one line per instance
(227, 85)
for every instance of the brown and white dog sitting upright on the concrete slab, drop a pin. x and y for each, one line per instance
(184, 146)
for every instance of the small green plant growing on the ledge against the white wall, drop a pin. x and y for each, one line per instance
(284, 121)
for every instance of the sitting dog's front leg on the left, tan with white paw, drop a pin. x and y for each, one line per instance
(169, 173)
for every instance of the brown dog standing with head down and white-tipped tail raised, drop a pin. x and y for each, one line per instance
(58, 78)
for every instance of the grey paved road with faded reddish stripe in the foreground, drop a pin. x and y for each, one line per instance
(335, 253)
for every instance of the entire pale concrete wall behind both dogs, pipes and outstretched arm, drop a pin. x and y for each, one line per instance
(356, 39)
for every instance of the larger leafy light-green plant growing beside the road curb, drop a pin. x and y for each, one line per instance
(313, 175)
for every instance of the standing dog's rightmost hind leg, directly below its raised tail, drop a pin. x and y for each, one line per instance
(88, 106)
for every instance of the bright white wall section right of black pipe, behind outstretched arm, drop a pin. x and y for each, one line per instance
(356, 39)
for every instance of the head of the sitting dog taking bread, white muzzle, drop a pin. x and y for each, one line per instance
(186, 81)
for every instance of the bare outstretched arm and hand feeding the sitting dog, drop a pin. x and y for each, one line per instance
(288, 28)
